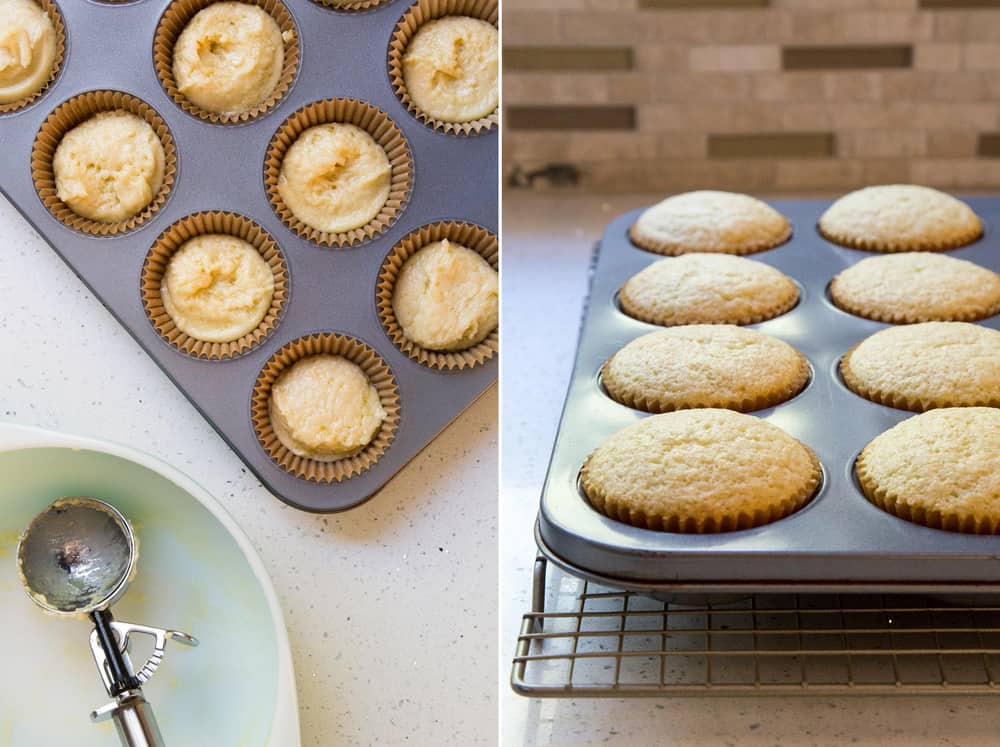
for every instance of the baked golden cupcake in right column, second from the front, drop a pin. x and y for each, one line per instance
(923, 366)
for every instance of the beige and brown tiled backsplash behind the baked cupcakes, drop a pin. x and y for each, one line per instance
(752, 94)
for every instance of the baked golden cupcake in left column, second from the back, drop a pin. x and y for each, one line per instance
(707, 289)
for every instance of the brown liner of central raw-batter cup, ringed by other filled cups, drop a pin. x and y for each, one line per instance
(377, 124)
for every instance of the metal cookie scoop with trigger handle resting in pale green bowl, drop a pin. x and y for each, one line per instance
(76, 558)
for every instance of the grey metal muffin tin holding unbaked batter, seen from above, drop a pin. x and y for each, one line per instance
(221, 167)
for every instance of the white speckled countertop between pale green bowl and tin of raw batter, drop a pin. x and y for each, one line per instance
(390, 607)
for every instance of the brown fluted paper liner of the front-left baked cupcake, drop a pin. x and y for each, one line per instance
(619, 510)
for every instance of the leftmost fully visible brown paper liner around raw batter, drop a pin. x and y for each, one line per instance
(68, 115)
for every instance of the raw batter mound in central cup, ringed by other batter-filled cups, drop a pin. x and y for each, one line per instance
(335, 177)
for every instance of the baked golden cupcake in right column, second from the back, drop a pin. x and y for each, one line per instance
(917, 287)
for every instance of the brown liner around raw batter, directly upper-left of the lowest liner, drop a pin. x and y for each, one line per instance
(168, 242)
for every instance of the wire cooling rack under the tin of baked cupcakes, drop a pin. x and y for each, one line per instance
(595, 641)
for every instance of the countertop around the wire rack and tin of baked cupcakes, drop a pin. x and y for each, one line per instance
(547, 244)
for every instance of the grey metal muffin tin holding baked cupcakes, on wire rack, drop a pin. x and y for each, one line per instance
(839, 541)
